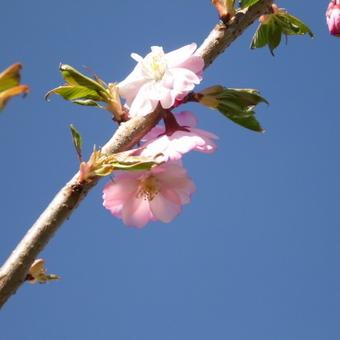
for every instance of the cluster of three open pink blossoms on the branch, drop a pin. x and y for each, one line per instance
(165, 79)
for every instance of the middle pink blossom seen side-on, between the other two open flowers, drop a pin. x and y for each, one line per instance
(179, 142)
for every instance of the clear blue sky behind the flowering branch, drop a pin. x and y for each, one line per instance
(254, 256)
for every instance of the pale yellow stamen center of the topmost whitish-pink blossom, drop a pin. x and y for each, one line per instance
(154, 64)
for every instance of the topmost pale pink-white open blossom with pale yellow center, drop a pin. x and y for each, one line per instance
(161, 77)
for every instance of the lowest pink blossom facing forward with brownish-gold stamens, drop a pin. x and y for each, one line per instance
(138, 197)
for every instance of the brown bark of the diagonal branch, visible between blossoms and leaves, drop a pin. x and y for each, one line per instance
(14, 270)
